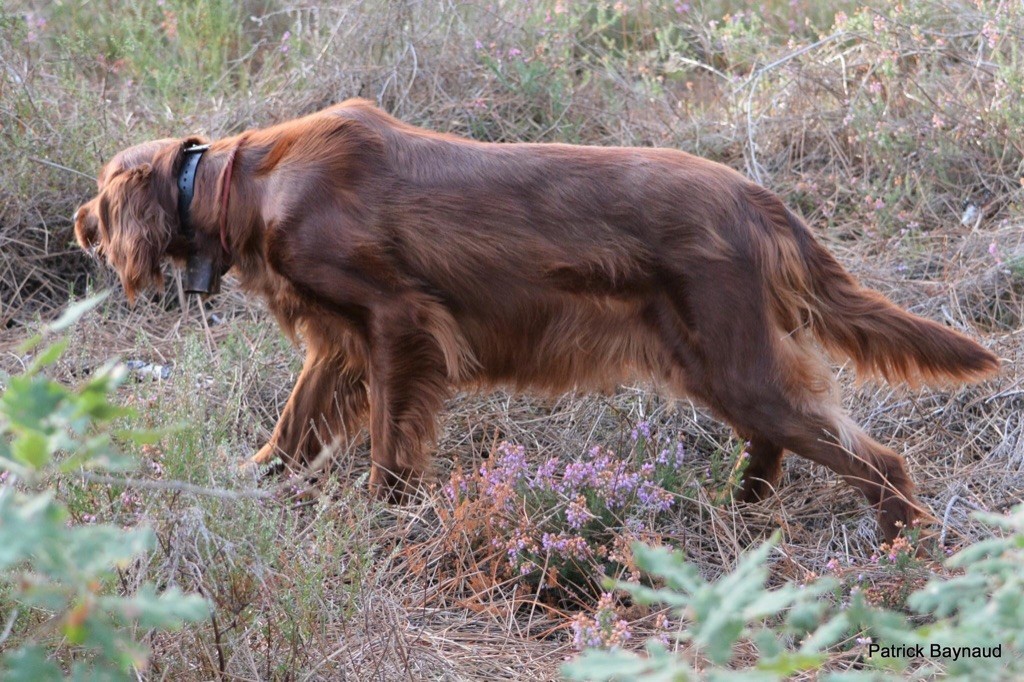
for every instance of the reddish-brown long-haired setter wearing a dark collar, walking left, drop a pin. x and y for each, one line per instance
(414, 264)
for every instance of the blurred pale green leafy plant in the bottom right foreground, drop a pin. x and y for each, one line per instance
(974, 629)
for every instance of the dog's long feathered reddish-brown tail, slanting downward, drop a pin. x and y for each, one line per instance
(851, 321)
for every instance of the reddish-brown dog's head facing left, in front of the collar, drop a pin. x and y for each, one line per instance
(134, 221)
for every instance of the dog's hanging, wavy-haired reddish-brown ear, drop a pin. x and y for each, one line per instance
(136, 227)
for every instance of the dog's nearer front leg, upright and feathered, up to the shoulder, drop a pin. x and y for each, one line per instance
(399, 331)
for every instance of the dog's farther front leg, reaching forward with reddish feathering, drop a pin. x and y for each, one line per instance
(328, 403)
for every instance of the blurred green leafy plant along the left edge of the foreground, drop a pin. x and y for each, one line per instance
(57, 577)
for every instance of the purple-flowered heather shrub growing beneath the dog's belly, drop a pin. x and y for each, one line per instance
(569, 524)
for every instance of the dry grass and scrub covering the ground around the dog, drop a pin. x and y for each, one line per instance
(919, 110)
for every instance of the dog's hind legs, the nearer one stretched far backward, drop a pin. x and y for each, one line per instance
(775, 390)
